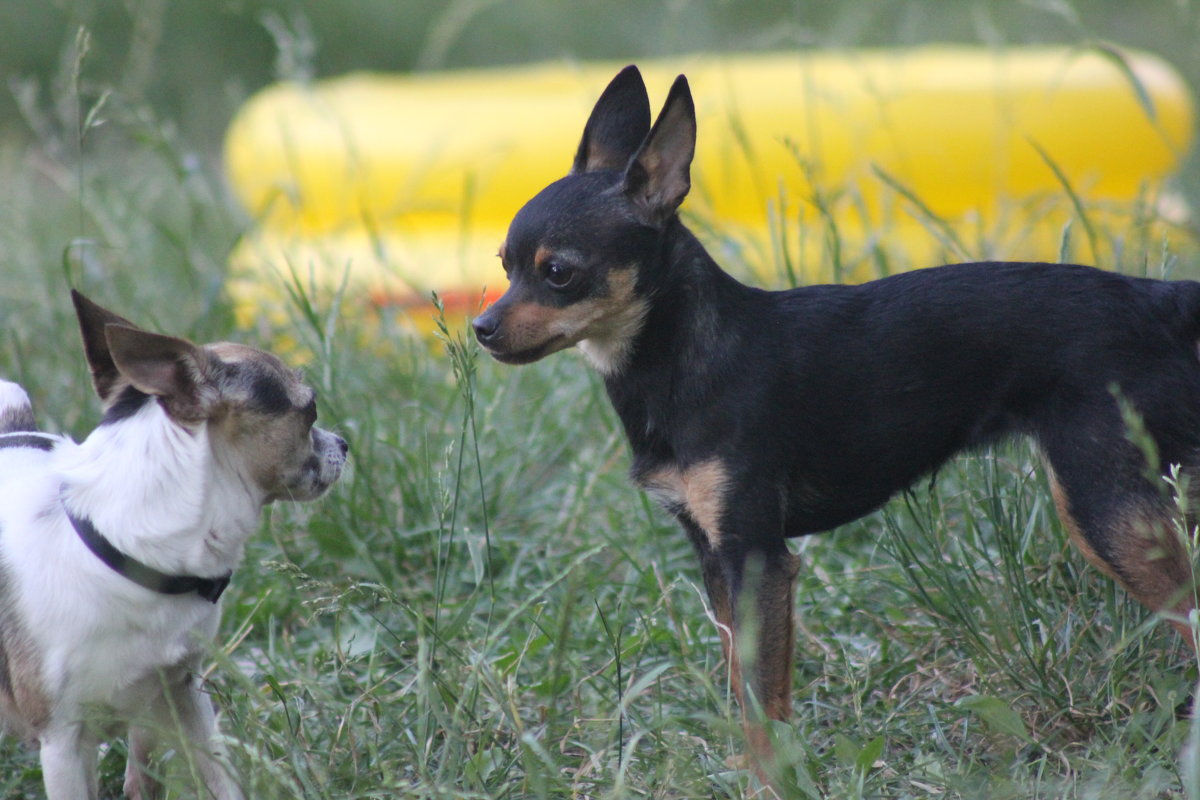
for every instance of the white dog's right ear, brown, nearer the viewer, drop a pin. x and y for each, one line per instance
(164, 366)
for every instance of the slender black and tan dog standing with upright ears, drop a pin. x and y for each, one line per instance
(757, 417)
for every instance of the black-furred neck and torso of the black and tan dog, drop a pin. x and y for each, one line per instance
(851, 393)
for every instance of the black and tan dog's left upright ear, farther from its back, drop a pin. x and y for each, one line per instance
(617, 124)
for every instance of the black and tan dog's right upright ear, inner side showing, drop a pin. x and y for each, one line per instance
(659, 176)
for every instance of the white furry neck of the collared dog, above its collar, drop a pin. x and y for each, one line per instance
(157, 491)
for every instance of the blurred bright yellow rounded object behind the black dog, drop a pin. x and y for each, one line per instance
(817, 164)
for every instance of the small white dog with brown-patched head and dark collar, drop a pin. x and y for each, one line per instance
(115, 551)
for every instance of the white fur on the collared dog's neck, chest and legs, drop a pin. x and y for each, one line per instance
(155, 491)
